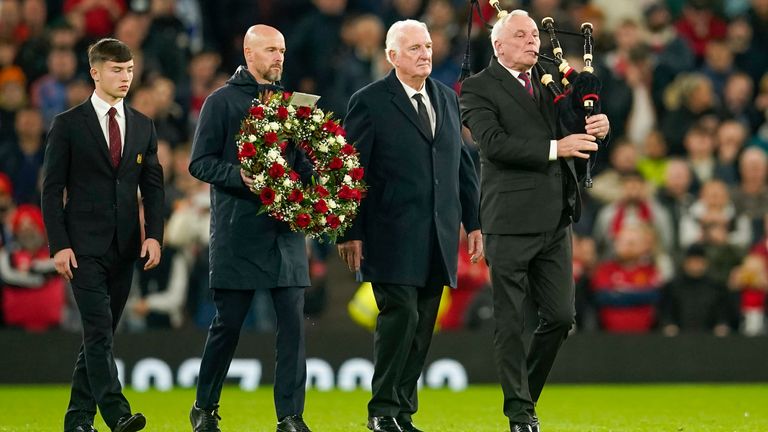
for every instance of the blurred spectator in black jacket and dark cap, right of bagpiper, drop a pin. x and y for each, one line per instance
(694, 301)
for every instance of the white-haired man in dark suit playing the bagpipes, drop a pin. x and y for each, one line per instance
(530, 195)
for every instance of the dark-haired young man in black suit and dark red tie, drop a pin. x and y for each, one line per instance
(98, 156)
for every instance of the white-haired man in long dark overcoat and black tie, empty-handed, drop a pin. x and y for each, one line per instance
(406, 238)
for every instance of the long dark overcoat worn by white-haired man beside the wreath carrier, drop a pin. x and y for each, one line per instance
(415, 182)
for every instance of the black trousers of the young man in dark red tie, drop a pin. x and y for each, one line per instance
(100, 286)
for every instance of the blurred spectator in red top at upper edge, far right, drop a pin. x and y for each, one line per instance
(698, 25)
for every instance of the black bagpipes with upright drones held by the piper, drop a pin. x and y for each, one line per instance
(579, 96)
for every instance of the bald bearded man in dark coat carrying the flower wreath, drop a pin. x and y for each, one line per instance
(248, 250)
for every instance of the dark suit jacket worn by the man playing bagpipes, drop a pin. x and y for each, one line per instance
(523, 192)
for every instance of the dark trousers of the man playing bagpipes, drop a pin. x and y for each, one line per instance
(539, 265)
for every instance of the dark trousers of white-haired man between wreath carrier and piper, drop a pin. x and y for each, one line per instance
(404, 328)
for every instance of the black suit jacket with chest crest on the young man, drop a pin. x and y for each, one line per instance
(86, 202)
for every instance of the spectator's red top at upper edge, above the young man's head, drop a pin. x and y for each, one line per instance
(98, 16)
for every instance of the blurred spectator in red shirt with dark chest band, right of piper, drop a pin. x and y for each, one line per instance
(627, 288)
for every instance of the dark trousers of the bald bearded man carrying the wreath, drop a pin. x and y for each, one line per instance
(224, 333)
